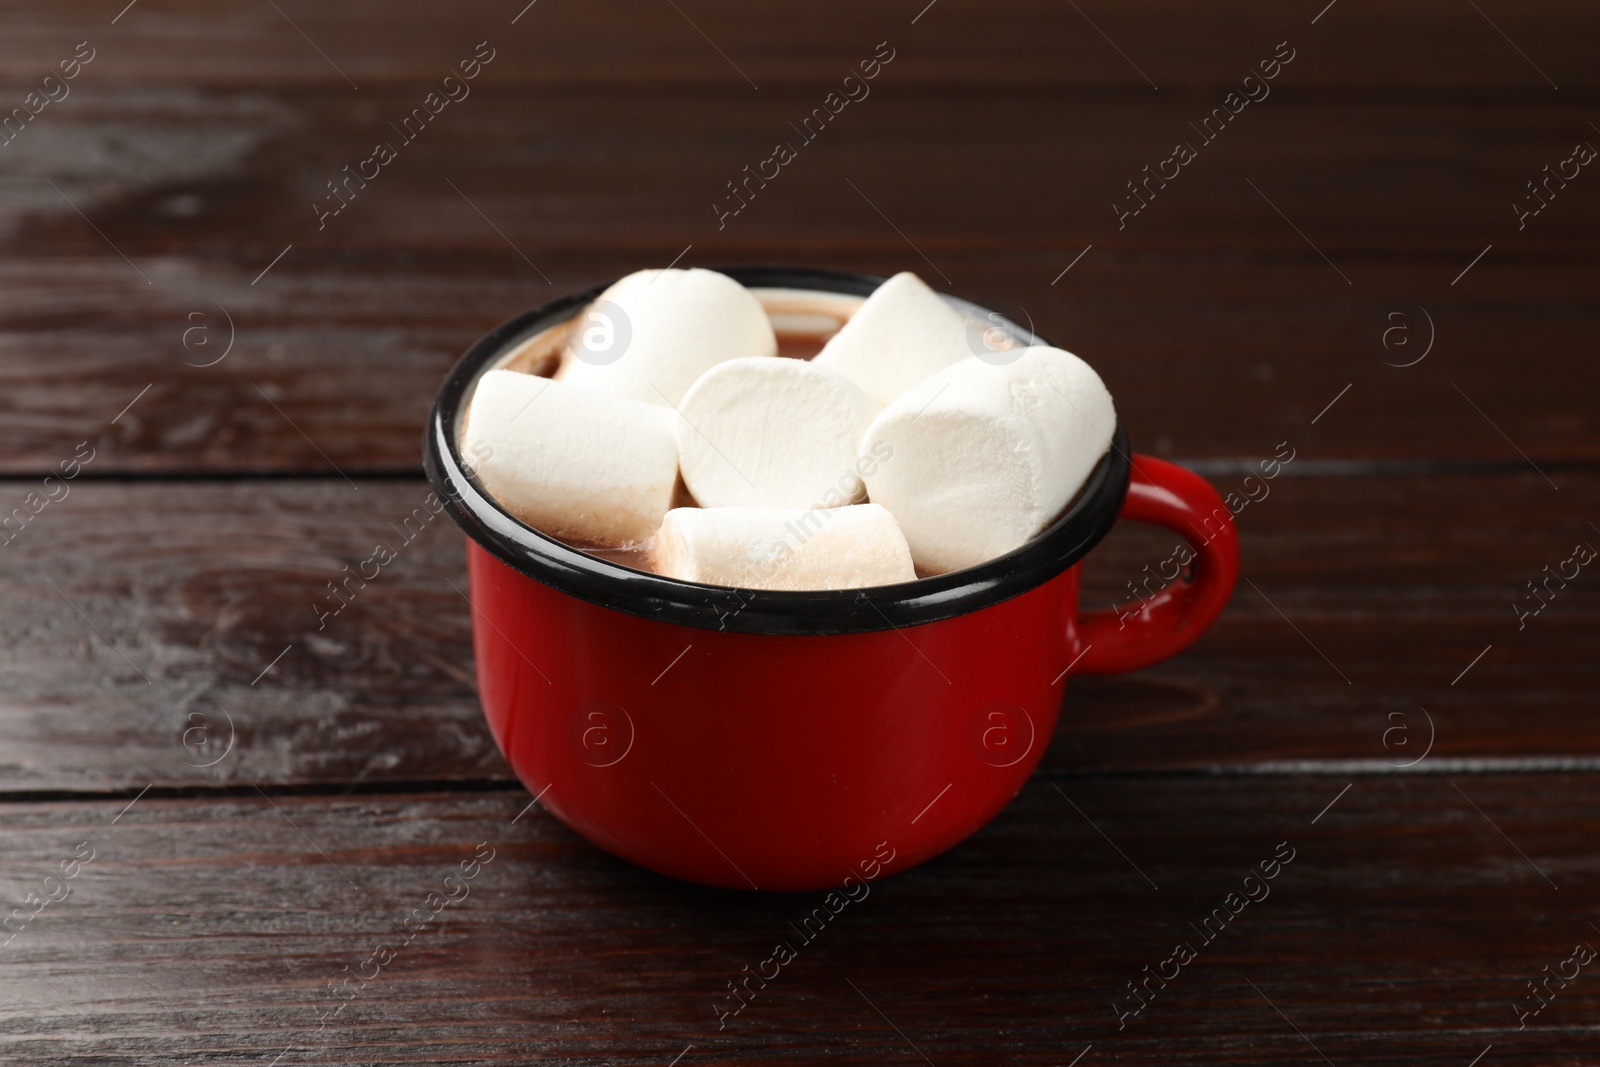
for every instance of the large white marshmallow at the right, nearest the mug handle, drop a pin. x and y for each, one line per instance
(986, 457)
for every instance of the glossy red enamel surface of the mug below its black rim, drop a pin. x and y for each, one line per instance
(778, 762)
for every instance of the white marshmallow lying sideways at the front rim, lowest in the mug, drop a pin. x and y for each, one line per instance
(758, 548)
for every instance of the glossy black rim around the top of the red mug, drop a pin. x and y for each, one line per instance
(620, 588)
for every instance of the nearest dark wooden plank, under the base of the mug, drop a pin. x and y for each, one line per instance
(1404, 930)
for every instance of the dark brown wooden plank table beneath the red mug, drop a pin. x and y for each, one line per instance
(241, 390)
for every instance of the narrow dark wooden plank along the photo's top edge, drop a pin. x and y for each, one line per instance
(1025, 42)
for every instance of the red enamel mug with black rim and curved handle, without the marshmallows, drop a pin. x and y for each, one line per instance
(762, 740)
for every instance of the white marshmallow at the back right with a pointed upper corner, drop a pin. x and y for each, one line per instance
(903, 334)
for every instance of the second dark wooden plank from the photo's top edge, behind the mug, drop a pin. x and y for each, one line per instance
(236, 177)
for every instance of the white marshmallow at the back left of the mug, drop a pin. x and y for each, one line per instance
(655, 332)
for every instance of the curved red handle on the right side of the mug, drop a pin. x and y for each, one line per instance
(1167, 495)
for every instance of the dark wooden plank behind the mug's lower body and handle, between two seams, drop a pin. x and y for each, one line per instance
(172, 599)
